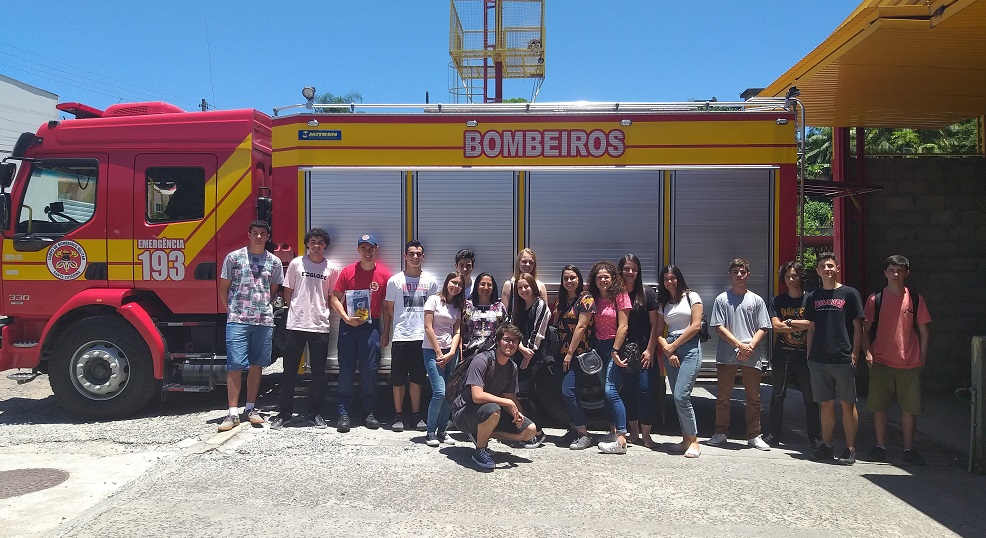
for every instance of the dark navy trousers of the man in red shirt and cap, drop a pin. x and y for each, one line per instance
(358, 345)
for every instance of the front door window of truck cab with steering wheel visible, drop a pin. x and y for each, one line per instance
(60, 196)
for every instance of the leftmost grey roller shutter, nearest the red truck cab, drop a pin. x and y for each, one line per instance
(348, 204)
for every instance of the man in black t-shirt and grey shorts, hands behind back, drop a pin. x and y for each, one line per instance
(835, 335)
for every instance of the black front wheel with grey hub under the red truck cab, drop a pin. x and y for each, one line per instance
(100, 369)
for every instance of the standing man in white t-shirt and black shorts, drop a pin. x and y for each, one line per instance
(403, 315)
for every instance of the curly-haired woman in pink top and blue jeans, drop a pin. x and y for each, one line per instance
(610, 318)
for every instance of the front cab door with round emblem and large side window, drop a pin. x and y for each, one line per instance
(59, 244)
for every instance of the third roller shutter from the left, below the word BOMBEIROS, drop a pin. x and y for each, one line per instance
(583, 216)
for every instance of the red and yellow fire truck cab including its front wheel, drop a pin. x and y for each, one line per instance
(112, 231)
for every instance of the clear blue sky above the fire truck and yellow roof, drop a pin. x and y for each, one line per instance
(260, 54)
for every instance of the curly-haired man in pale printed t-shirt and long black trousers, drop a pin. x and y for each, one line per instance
(308, 284)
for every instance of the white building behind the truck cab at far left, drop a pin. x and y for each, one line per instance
(22, 109)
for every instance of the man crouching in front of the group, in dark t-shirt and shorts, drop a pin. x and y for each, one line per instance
(487, 406)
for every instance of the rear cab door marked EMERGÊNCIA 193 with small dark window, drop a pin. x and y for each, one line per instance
(174, 230)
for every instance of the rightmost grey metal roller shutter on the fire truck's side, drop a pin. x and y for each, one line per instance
(721, 214)
